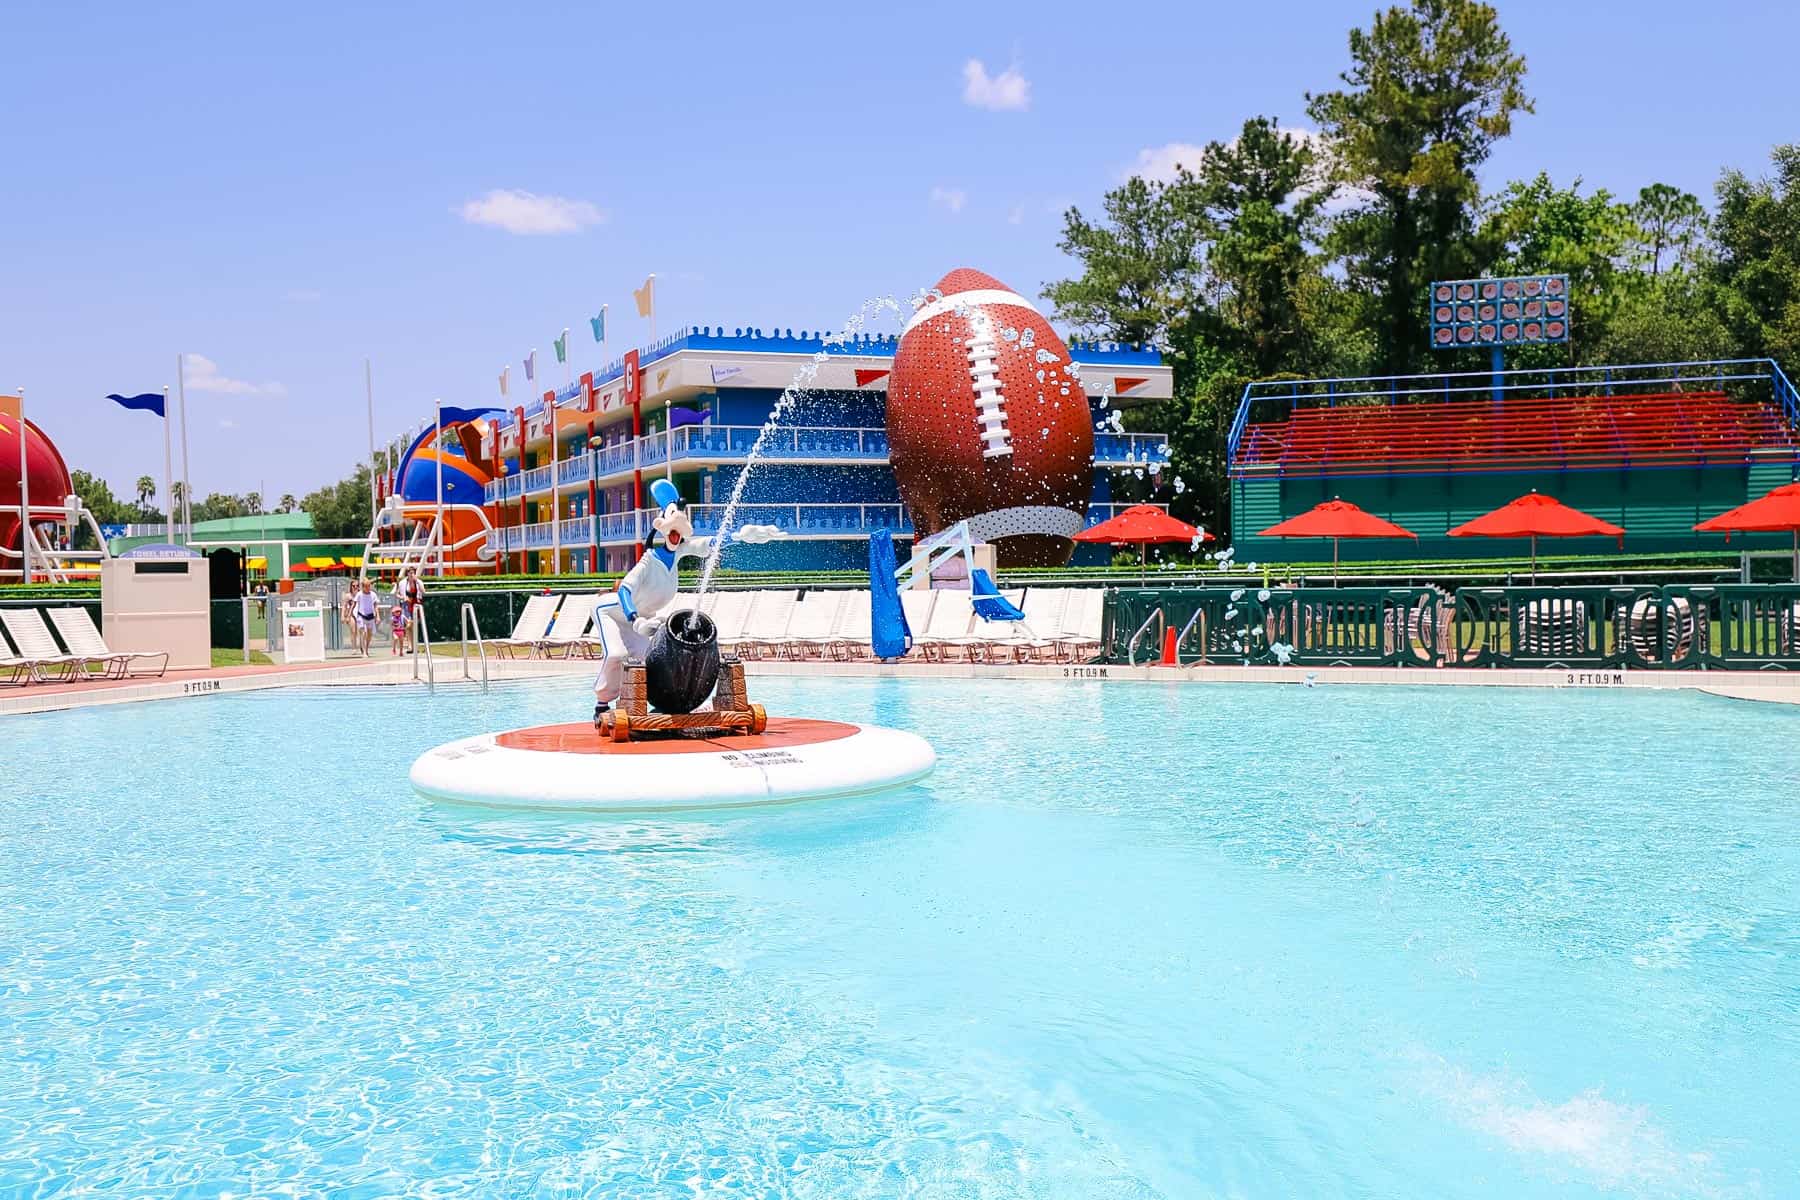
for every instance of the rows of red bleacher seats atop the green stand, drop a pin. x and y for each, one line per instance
(1671, 429)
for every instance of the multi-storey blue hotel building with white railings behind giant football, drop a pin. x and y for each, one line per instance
(573, 465)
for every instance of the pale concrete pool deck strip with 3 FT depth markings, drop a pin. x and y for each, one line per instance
(1768, 686)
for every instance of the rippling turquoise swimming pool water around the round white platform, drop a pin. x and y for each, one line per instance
(1131, 942)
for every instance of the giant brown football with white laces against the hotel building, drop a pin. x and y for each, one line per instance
(989, 424)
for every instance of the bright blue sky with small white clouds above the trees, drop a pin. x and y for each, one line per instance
(282, 193)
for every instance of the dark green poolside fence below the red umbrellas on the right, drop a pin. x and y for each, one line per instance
(1628, 627)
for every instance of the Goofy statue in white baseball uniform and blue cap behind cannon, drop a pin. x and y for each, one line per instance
(627, 620)
